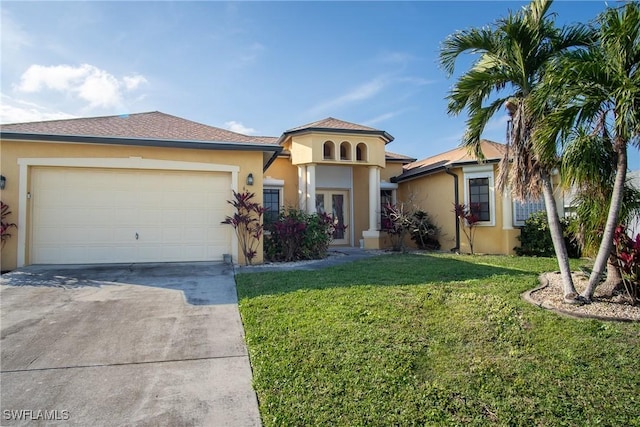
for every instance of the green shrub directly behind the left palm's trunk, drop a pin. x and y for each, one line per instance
(535, 237)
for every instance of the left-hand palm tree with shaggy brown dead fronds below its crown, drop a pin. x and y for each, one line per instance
(513, 55)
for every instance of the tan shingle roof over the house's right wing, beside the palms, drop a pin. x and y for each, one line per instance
(493, 152)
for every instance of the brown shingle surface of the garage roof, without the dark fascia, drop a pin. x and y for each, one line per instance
(153, 125)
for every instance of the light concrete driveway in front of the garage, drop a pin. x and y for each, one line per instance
(141, 344)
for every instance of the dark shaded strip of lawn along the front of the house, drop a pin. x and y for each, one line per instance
(385, 270)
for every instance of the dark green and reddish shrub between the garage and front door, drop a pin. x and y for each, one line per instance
(297, 235)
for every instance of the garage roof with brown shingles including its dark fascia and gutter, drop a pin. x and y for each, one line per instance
(147, 129)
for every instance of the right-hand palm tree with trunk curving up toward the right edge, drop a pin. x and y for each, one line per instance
(599, 89)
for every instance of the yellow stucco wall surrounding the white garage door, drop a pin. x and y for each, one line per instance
(10, 151)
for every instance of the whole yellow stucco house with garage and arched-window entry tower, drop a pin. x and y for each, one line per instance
(152, 187)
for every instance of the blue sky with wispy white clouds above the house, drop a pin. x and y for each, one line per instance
(258, 68)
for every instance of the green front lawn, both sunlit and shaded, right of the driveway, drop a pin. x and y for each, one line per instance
(432, 340)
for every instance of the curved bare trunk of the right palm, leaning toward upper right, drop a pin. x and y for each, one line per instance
(612, 221)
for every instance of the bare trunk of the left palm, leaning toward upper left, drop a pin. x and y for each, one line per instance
(559, 245)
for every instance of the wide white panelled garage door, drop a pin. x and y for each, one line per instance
(88, 215)
